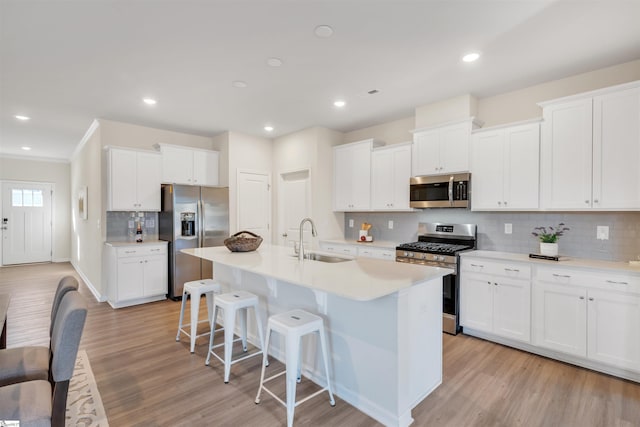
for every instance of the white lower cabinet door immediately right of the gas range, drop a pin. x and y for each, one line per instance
(476, 302)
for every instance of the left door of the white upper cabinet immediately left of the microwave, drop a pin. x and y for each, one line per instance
(382, 179)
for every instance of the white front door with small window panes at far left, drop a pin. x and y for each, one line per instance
(26, 222)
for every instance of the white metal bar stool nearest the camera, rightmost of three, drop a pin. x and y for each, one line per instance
(293, 325)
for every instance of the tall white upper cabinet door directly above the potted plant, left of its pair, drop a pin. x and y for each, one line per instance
(566, 155)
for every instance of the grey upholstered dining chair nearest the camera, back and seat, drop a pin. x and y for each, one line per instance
(43, 402)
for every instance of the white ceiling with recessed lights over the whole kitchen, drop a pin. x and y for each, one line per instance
(64, 63)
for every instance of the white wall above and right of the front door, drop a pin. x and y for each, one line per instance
(57, 173)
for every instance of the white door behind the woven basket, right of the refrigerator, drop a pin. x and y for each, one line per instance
(254, 203)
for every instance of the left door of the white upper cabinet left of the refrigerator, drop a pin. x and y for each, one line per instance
(122, 180)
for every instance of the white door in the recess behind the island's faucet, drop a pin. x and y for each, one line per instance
(294, 204)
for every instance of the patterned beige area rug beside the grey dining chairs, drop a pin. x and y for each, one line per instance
(84, 404)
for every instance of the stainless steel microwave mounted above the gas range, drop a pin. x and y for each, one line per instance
(440, 191)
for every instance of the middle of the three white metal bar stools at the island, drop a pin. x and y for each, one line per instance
(230, 303)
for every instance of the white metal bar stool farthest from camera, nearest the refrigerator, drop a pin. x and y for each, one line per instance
(196, 289)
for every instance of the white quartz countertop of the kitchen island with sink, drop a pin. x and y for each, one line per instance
(361, 279)
